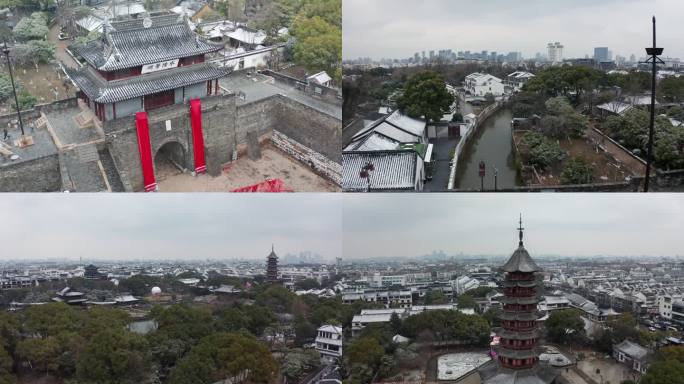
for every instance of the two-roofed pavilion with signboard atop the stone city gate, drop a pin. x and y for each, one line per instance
(142, 64)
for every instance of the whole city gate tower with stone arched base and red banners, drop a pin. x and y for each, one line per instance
(149, 85)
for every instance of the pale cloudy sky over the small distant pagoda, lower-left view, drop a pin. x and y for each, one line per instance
(168, 226)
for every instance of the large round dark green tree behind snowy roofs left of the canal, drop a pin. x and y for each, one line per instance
(425, 96)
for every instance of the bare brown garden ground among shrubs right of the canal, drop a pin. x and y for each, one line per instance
(606, 168)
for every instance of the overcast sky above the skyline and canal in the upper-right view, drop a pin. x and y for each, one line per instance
(399, 28)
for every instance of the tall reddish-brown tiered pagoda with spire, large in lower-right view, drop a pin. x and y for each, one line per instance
(518, 351)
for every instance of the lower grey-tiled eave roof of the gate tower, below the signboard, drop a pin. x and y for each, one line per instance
(102, 91)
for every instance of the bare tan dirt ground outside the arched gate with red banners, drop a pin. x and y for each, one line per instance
(273, 164)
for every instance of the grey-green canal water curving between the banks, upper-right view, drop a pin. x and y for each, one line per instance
(491, 144)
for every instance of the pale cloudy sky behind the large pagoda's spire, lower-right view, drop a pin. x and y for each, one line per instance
(556, 224)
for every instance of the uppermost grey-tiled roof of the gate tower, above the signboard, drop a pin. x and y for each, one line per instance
(127, 44)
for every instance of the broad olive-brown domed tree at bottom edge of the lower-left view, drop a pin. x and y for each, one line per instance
(226, 355)
